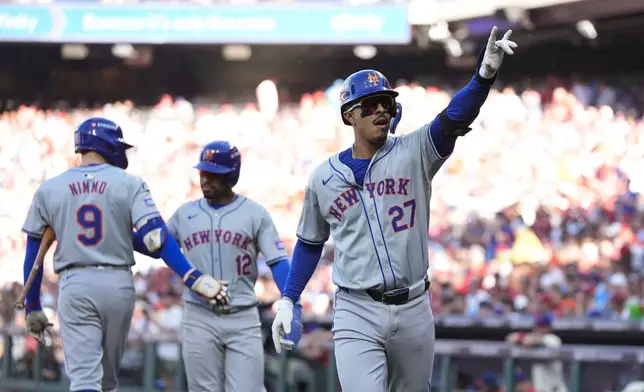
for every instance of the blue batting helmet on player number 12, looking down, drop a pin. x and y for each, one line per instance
(221, 157)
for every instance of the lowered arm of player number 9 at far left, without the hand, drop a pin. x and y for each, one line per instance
(34, 226)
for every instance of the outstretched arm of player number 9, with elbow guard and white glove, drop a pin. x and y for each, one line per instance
(156, 239)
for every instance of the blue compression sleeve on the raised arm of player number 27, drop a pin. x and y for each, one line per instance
(464, 107)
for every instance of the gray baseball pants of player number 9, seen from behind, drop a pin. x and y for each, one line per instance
(95, 309)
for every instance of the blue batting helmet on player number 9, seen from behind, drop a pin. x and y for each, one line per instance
(104, 137)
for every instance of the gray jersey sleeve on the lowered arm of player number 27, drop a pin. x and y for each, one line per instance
(313, 228)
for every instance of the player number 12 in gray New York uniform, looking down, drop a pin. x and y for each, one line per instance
(223, 233)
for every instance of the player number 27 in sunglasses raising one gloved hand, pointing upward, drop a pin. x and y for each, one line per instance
(373, 198)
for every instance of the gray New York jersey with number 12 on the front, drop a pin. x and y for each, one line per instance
(226, 242)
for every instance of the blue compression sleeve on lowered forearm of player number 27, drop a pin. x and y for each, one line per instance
(305, 259)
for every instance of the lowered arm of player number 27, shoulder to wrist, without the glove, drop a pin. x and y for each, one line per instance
(313, 231)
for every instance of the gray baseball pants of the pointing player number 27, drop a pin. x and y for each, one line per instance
(380, 347)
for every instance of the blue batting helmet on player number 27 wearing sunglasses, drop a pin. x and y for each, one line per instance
(362, 84)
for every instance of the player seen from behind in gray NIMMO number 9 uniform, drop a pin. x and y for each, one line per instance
(92, 209)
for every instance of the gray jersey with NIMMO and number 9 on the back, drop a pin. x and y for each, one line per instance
(92, 210)
